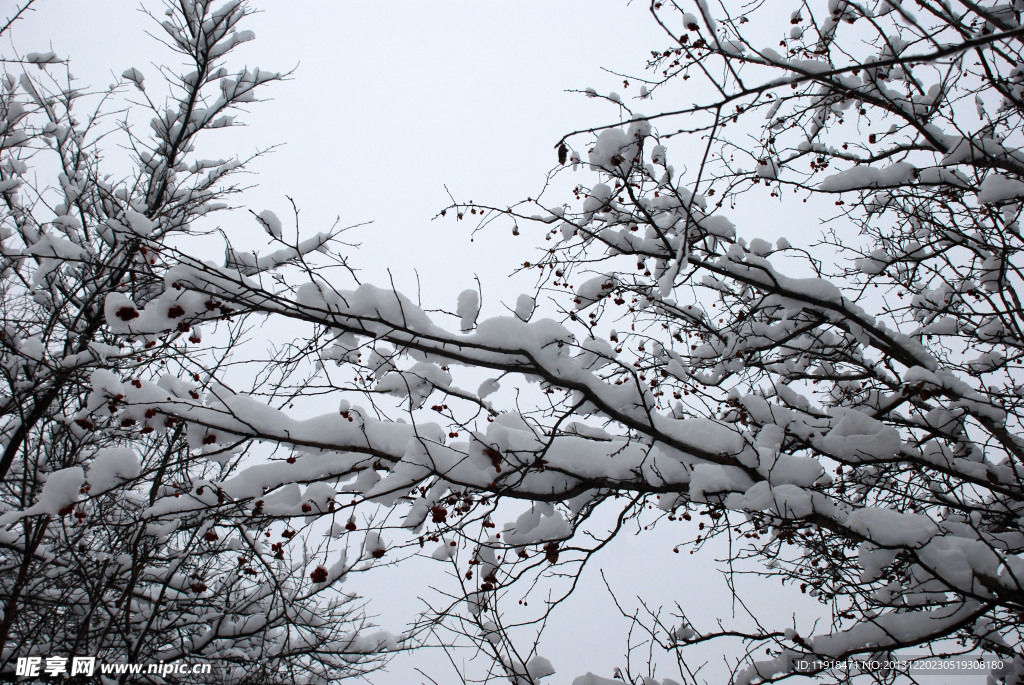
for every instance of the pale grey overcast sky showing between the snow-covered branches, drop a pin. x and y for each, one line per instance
(389, 104)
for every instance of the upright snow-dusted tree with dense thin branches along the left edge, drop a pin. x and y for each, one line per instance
(117, 541)
